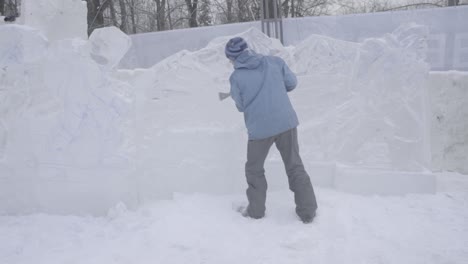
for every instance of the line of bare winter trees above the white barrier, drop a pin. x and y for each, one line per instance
(134, 16)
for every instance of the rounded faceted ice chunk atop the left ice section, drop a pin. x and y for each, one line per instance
(108, 46)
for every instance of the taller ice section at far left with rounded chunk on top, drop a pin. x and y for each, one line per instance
(65, 124)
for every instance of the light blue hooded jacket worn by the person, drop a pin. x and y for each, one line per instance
(259, 86)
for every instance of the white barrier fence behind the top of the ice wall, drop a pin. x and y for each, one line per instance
(448, 40)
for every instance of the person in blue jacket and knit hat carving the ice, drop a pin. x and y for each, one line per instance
(259, 87)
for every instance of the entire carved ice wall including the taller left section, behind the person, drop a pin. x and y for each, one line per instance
(75, 128)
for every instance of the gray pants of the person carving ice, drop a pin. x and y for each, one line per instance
(299, 181)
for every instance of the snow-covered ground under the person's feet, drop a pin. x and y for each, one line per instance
(200, 228)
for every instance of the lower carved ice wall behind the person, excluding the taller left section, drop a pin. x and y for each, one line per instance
(360, 105)
